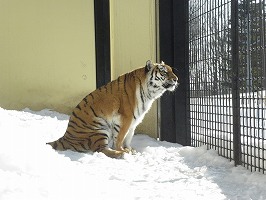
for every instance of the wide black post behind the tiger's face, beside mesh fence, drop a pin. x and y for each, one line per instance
(173, 51)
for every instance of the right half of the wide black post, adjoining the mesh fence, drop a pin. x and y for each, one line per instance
(179, 40)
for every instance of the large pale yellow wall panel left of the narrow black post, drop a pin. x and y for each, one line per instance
(47, 53)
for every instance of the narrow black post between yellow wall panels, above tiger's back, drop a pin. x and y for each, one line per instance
(102, 42)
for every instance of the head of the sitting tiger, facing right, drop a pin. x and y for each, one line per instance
(161, 77)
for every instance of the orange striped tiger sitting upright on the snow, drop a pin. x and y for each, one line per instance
(105, 120)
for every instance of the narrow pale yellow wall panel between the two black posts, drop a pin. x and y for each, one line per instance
(133, 42)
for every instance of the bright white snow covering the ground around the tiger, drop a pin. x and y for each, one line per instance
(30, 169)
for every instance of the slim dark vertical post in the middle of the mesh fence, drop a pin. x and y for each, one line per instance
(235, 83)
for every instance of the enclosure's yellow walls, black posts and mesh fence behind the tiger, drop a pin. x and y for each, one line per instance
(56, 52)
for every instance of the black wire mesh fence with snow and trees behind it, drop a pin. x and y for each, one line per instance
(228, 90)
